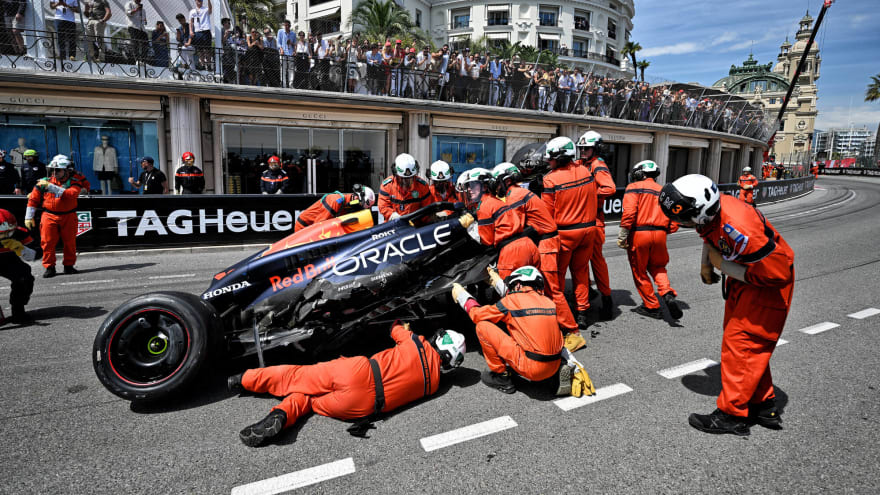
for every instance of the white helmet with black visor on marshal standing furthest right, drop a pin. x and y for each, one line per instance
(692, 199)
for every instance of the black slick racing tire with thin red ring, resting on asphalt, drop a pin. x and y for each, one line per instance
(153, 345)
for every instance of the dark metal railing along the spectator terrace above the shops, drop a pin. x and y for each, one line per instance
(517, 87)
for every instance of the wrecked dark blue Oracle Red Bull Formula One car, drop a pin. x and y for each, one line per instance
(314, 290)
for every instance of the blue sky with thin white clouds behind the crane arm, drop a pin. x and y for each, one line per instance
(698, 41)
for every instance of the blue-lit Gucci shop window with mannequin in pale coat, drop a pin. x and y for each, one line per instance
(104, 151)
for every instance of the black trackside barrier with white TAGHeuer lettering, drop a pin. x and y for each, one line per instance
(144, 222)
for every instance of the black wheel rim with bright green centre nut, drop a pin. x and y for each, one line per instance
(148, 347)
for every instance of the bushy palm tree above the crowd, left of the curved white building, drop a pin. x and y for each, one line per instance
(378, 20)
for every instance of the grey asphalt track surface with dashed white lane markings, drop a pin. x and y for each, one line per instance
(62, 432)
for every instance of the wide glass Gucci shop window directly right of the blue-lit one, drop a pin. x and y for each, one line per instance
(316, 160)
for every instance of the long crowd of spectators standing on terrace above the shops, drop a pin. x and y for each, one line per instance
(261, 57)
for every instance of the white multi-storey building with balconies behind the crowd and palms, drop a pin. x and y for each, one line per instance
(587, 34)
